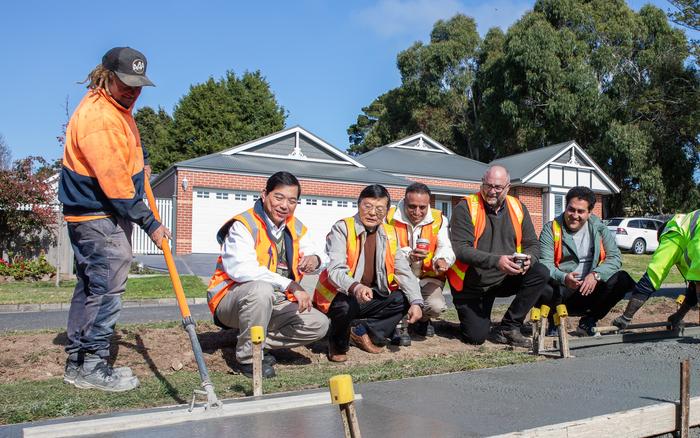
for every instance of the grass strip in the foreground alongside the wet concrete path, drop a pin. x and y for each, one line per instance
(34, 400)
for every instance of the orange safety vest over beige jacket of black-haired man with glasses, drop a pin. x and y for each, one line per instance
(326, 290)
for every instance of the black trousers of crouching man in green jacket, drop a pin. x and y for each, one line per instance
(598, 303)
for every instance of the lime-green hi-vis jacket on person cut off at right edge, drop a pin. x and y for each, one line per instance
(679, 245)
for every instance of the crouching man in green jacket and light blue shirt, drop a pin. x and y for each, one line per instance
(583, 261)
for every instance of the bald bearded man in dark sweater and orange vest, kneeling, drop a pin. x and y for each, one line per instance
(497, 256)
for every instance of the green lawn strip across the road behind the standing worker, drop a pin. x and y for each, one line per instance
(140, 288)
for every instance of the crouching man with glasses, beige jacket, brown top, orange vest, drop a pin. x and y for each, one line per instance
(368, 285)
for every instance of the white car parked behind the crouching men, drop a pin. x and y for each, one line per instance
(636, 234)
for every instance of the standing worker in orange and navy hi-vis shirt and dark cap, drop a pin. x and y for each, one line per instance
(102, 188)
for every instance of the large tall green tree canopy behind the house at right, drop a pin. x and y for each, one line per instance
(595, 71)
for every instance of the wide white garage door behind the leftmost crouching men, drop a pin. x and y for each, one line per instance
(212, 207)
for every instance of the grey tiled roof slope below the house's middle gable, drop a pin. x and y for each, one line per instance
(423, 163)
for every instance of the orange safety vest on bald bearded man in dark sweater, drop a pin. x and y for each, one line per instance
(477, 211)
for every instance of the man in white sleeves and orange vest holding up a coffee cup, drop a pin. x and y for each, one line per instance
(414, 220)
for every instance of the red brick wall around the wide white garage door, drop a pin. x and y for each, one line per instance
(249, 183)
